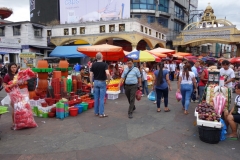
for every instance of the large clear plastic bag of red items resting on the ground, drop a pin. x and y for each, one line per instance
(23, 116)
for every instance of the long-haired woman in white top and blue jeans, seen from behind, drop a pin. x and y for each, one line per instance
(185, 85)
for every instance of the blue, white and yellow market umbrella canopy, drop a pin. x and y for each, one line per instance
(142, 56)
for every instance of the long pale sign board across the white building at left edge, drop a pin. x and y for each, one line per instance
(11, 43)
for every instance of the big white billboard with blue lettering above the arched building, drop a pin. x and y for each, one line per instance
(77, 11)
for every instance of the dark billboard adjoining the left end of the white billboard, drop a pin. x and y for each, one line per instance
(44, 11)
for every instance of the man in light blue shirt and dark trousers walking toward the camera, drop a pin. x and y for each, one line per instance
(131, 79)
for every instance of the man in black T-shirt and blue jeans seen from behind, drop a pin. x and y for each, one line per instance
(99, 72)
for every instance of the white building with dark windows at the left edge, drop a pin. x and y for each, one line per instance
(21, 37)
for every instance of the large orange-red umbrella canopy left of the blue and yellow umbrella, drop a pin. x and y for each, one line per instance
(109, 52)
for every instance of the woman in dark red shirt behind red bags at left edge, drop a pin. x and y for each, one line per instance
(12, 71)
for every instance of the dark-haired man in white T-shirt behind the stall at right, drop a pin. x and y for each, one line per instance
(228, 73)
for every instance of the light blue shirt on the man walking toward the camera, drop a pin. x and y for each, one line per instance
(132, 77)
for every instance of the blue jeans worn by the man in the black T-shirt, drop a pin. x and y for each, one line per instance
(99, 95)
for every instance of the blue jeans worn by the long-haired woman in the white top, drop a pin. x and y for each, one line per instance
(186, 91)
